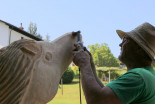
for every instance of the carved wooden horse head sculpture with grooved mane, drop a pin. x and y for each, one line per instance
(30, 71)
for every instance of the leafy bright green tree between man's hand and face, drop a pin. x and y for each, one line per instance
(102, 55)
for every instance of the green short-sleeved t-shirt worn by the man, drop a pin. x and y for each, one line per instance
(137, 86)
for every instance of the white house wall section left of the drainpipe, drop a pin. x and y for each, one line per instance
(4, 34)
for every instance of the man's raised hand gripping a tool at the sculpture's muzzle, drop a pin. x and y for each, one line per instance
(80, 57)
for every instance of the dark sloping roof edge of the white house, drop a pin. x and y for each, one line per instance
(21, 31)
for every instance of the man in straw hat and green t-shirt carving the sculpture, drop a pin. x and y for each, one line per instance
(137, 85)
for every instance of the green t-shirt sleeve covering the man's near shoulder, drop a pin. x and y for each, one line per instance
(128, 87)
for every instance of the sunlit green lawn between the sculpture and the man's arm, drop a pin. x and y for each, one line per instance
(70, 94)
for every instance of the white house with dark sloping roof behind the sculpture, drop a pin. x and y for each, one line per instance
(10, 33)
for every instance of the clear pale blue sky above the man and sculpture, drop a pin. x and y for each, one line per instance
(97, 20)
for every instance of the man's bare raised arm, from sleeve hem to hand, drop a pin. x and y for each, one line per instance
(94, 93)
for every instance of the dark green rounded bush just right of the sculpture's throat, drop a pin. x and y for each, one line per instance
(68, 76)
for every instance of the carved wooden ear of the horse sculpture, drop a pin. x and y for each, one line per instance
(31, 49)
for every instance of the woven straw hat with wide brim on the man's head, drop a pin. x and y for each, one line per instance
(144, 35)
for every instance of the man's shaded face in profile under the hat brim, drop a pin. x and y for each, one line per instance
(128, 50)
